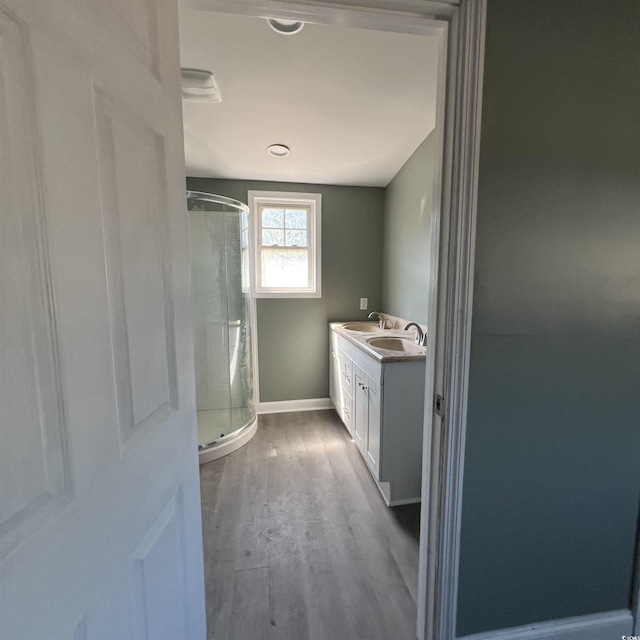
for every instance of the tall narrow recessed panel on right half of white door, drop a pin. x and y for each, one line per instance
(142, 332)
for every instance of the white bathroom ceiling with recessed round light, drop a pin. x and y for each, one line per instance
(352, 104)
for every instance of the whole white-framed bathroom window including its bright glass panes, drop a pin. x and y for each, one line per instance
(285, 244)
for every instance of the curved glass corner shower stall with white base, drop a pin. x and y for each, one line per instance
(221, 299)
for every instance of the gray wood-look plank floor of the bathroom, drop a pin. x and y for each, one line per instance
(299, 543)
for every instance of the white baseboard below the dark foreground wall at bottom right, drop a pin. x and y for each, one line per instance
(600, 626)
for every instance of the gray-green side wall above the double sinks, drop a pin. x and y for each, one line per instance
(408, 206)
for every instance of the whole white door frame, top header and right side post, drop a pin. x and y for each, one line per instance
(460, 24)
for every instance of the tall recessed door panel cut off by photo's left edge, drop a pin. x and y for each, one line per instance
(35, 473)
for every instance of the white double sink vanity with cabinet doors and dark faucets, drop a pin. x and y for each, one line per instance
(376, 383)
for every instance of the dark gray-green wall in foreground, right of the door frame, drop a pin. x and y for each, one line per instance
(552, 469)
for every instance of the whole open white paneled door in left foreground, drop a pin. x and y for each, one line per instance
(100, 533)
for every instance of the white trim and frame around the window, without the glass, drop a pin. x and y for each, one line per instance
(286, 197)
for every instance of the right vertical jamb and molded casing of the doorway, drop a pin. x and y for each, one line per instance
(443, 453)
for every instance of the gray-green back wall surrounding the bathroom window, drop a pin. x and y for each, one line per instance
(293, 333)
